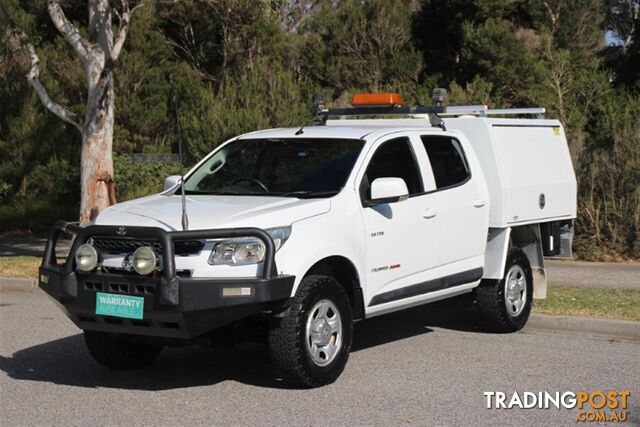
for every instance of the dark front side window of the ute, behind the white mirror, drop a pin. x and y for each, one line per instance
(393, 159)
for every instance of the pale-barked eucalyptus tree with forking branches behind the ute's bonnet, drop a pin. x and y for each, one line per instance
(98, 50)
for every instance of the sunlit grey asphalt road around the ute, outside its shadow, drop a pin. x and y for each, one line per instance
(425, 366)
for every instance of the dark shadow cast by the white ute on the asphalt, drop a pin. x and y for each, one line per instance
(66, 361)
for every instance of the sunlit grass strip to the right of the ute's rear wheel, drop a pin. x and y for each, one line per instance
(591, 302)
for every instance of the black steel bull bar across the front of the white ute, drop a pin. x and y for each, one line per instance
(174, 307)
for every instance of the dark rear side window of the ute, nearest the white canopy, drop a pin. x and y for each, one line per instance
(447, 160)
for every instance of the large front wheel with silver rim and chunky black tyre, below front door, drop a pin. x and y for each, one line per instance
(310, 345)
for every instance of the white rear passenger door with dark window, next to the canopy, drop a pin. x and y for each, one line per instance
(463, 203)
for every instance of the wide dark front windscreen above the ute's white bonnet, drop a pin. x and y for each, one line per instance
(285, 167)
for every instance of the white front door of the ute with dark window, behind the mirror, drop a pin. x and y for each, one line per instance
(403, 237)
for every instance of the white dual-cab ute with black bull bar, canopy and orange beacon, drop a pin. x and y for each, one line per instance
(296, 233)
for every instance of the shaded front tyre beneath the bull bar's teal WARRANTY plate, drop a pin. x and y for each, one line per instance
(118, 352)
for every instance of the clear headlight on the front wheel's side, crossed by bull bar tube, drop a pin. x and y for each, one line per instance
(249, 250)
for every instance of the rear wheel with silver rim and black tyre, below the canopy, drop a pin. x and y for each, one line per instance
(505, 305)
